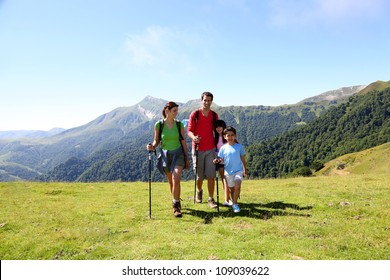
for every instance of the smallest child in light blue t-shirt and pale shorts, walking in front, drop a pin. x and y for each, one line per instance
(232, 155)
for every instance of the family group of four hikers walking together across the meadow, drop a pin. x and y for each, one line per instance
(214, 148)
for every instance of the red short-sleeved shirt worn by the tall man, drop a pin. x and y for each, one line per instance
(204, 128)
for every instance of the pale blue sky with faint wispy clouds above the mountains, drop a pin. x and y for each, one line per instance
(65, 62)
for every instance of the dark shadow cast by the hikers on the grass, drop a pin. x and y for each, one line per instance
(252, 210)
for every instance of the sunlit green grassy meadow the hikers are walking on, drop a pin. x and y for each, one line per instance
(318, 218)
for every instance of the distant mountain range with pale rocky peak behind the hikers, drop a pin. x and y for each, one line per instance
(111, 147)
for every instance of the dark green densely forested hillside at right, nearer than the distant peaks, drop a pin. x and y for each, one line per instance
(361, 123)
